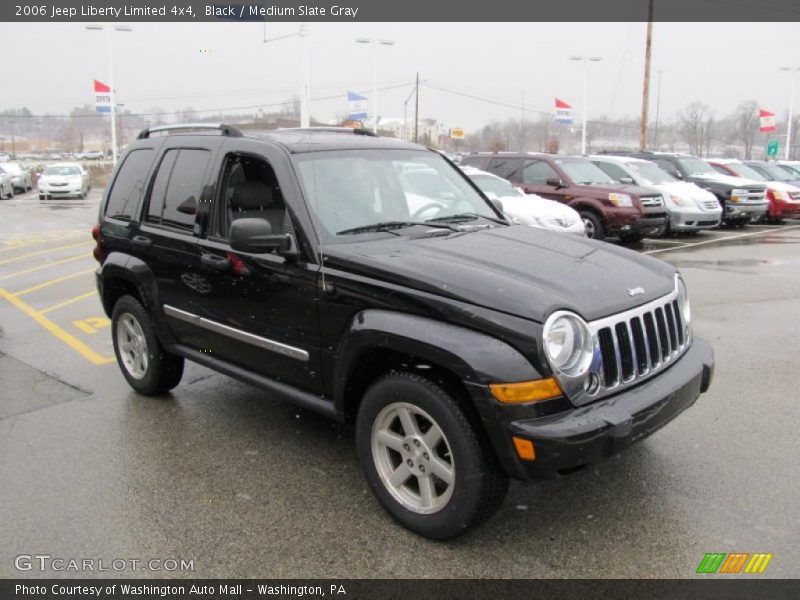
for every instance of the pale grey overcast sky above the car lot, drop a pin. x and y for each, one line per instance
(162, 65)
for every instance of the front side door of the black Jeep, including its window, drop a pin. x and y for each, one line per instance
(259, 310)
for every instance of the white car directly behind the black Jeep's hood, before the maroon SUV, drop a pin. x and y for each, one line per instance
(527, 209)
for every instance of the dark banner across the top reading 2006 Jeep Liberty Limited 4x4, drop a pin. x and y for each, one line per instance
(401, 10)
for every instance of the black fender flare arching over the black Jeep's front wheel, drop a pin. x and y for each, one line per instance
(472, 356)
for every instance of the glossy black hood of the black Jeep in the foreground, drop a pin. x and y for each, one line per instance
(522, 271)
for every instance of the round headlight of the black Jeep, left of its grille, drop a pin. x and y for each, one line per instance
(568, 344)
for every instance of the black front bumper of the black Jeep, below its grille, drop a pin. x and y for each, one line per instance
(568, 440)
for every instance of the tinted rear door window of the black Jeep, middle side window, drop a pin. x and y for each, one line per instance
(177, 188)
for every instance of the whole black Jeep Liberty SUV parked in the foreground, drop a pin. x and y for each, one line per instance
(465, 350)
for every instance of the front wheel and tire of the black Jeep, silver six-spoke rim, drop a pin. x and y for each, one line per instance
(422, 458)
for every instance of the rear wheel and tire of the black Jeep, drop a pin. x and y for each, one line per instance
(148, 368)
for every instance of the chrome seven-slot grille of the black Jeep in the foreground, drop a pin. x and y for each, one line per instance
(636, 344)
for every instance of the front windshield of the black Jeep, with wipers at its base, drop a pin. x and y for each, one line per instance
(356, 189)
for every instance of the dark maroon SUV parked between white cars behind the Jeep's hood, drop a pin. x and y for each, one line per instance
(606, 207)
